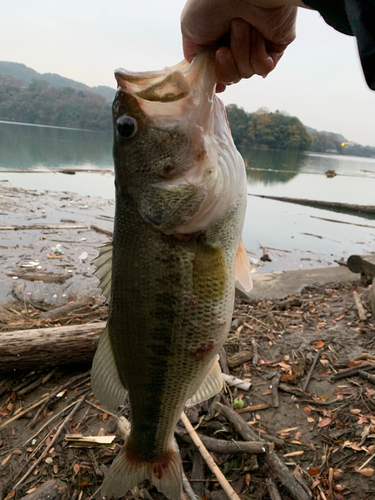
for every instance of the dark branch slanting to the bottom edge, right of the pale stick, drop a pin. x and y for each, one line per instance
(273, 461)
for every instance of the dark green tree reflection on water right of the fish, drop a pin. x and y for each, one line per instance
(280, 166)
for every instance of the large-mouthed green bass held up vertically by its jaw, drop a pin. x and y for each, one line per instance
(169, 273)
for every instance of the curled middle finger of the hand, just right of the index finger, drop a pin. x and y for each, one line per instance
(241, 46)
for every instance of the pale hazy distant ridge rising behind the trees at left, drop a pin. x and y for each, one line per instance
(27, 75)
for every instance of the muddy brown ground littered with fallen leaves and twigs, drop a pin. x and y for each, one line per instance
(324, 434)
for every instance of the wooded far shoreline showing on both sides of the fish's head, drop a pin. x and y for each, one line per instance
(41, 103)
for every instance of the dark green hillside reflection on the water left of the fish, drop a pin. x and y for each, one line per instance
(28, 147)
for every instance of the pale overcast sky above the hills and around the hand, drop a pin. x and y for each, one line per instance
(319, 79)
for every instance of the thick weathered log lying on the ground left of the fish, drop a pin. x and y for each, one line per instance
(49, 347)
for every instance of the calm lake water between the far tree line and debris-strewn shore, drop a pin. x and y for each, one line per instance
(295, 235)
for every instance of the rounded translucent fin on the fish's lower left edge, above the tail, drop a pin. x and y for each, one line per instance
(105, 380)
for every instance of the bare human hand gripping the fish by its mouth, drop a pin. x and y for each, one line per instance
(259, 32)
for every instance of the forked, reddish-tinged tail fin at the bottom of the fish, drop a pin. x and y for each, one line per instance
(128, 471)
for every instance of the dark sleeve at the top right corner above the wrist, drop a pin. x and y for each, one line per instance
(353, 17)
